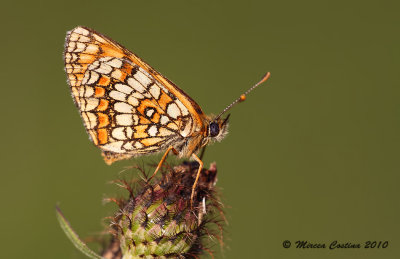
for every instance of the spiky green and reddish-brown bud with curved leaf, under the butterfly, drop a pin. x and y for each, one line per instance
(158, 220)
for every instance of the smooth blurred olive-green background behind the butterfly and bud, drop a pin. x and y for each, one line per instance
(312, 155)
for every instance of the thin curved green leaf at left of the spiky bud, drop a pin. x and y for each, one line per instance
(66, 227)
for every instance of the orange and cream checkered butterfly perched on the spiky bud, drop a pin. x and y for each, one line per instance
(129, 109)
